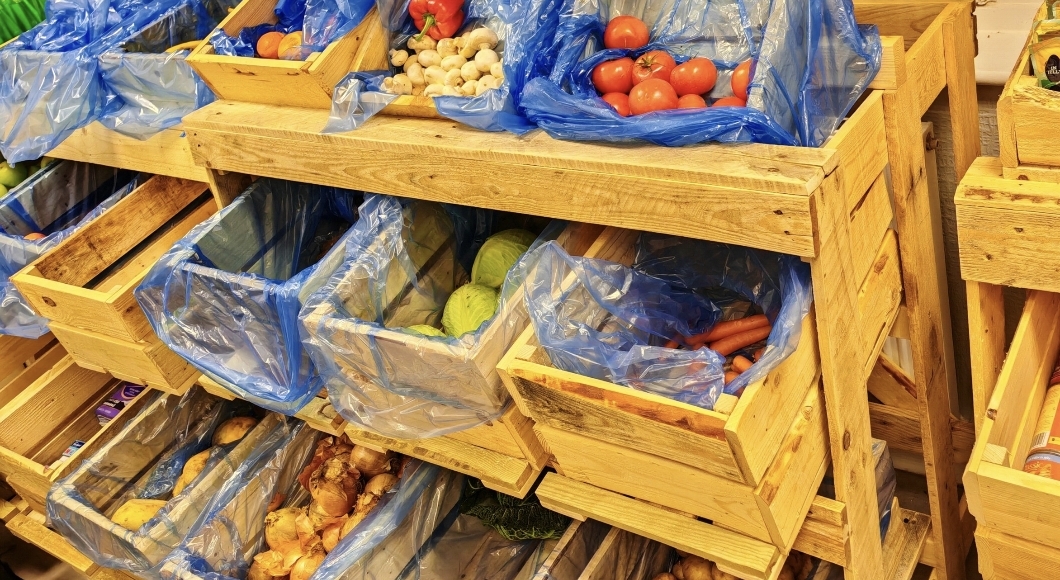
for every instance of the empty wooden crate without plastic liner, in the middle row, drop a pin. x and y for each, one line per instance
(85, 285)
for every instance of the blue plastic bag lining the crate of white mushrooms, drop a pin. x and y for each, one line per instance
(526, 30)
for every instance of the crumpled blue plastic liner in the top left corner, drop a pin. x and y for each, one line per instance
(50, 81)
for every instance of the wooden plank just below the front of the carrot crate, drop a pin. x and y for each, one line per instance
(617, 469)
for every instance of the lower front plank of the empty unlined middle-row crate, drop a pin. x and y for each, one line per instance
(151, 364)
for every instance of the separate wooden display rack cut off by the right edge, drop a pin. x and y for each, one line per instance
(1009, 210)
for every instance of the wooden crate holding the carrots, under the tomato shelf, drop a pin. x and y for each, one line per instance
(753, 465)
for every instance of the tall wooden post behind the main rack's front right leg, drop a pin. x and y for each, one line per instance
(915, 217)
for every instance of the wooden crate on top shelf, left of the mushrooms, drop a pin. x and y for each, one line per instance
(291, 83)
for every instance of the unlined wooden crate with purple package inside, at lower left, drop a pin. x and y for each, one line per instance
(49, 407)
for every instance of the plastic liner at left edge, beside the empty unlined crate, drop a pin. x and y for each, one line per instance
(56, 202)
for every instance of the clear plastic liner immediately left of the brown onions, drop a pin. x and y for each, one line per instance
(234, 526)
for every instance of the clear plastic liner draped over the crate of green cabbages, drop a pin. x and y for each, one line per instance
(412, 257)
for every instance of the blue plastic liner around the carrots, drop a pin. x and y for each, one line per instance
(612, 322)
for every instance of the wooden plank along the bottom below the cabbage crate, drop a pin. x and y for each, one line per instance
(498, 471)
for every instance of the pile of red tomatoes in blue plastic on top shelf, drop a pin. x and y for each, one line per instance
(655, 81)
